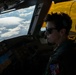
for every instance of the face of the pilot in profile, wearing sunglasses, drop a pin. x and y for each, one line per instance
(52, 34)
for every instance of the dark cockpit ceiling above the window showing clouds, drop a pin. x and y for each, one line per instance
(9, 4)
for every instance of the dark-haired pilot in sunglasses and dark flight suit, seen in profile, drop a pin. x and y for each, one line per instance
(63, 59)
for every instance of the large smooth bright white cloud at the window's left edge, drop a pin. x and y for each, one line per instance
(10, 21)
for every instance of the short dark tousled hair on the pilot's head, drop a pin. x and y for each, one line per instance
(61, 20)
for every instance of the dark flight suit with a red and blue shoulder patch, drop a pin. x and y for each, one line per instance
(63, 60)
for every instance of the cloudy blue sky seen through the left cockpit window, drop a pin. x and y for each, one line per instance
(15, 23)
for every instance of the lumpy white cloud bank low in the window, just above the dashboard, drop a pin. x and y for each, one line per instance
(15, 31)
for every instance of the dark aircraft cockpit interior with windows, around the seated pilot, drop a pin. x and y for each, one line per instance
(23, 45)
